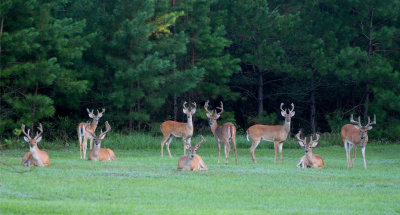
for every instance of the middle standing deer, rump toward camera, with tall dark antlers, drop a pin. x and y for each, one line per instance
(223, 133)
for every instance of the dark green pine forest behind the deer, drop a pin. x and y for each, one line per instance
(141, 59)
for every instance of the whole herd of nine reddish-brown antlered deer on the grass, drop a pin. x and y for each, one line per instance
(353, 135)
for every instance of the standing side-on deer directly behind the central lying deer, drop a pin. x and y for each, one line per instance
(171, 129)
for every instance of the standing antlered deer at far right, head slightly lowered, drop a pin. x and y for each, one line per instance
(356, 135)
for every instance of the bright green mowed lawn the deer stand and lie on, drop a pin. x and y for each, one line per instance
(141, 182)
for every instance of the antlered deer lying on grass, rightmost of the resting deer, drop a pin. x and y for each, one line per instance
(309, 160)
